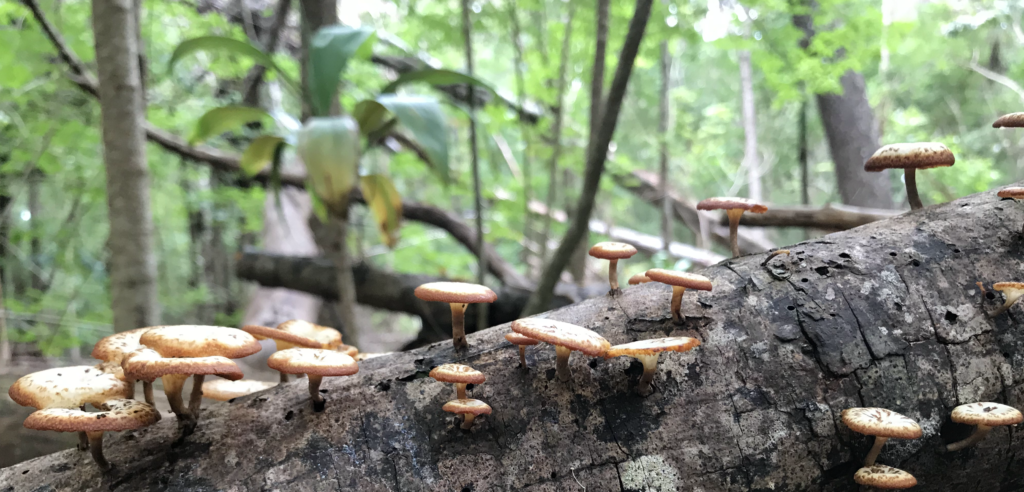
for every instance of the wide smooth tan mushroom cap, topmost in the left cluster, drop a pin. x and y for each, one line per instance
(195, 341)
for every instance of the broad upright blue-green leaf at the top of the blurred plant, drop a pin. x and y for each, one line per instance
(330, 51)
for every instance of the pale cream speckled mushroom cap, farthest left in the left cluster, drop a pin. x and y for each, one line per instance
(68, 388)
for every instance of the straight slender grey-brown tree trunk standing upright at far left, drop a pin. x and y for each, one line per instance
(134, 266)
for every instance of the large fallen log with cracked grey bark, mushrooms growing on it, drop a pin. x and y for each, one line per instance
(786, 348)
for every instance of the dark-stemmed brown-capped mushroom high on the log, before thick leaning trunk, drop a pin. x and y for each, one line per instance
(911, 157)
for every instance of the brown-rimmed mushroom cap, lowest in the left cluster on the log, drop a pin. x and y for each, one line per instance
(117, 416)
